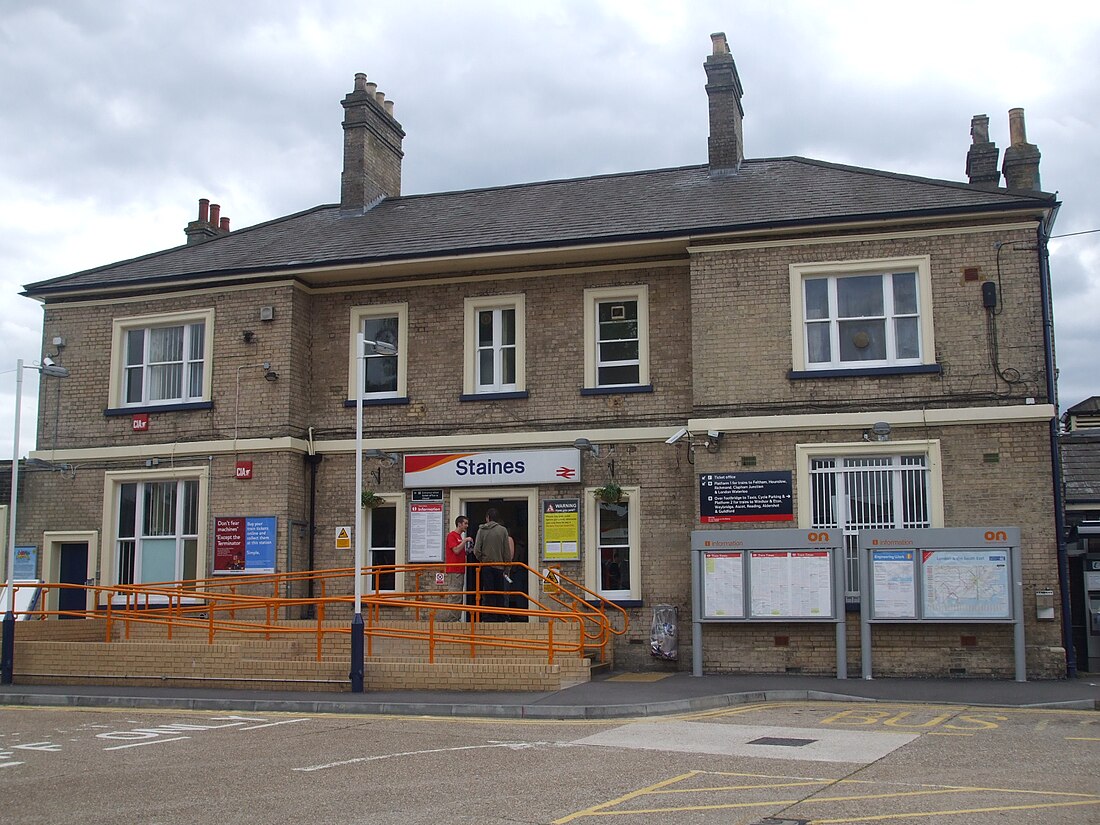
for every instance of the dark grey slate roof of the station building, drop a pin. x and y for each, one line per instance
(766, 193)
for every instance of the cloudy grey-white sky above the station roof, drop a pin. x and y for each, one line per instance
(117, 117)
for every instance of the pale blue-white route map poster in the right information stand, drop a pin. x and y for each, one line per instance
(966, 585)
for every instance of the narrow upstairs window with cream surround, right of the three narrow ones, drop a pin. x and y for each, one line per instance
(617, 337)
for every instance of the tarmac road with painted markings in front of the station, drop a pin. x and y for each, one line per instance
(797, 762)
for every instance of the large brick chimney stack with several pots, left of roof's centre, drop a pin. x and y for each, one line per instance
(372, 168)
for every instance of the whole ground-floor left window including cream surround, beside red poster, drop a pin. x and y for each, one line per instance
(157, 523)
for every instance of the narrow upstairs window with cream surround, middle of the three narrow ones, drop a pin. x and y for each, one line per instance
(496, 336)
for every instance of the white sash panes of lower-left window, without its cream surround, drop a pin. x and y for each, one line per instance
(158, 531)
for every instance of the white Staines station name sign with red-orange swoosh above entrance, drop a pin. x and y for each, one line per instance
(493, 469)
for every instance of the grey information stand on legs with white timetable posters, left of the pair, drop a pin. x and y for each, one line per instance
(767, 576)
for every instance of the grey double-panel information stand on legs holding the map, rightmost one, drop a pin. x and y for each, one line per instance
(942, 576)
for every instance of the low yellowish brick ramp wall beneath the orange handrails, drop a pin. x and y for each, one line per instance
(58, 654)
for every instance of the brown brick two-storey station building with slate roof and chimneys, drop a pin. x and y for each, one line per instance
(779, 310)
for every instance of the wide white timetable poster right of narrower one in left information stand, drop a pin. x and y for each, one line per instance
(791, 585)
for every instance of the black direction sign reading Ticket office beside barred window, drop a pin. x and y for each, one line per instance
(763, 497)
